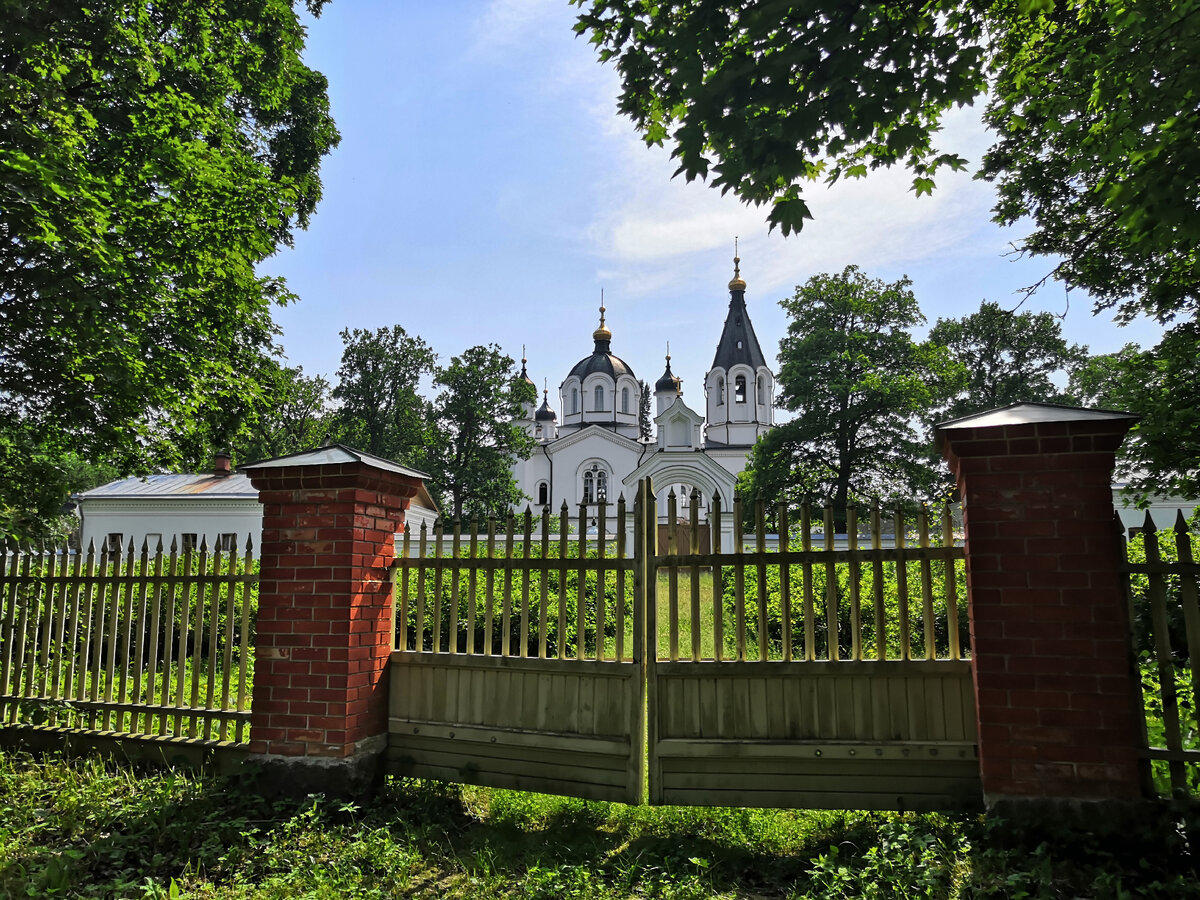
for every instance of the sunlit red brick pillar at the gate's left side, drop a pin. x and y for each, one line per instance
(320, 711)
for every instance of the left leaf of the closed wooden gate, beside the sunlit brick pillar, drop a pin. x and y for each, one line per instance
(519, 665)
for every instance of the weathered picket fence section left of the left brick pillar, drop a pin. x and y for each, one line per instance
(147, 644)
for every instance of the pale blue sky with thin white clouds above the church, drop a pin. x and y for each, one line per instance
(487, 191)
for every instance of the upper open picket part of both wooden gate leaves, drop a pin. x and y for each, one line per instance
(561, 586)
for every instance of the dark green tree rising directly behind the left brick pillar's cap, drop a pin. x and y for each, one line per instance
(379, 387)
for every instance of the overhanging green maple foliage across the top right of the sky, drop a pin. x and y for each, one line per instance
(1094, 109)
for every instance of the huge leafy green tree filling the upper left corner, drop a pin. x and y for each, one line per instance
(153, 155)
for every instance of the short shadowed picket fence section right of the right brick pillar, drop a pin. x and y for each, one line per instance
(1165, 613)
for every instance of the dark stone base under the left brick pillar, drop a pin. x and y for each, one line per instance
(357, 777)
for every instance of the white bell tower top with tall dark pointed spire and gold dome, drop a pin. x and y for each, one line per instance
(740, 387)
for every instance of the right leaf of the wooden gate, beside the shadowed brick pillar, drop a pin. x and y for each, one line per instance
(814, 685)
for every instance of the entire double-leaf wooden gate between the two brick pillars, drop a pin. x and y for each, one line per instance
(829, 677)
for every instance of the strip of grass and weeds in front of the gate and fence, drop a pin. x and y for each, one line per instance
(82, 829)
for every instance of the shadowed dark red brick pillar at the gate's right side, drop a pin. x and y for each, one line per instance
(1055, 692)
